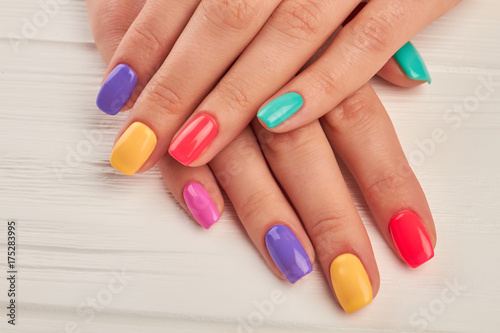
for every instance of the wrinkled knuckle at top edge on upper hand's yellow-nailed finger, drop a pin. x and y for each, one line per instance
(234, 14)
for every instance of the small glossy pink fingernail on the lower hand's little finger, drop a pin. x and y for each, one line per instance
(200, 205)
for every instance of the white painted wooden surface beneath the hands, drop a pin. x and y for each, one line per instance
(79, 226)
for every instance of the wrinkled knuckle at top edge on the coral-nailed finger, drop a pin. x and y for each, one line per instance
(299, 19)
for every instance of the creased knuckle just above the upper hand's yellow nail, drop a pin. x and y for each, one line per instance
(164, 97)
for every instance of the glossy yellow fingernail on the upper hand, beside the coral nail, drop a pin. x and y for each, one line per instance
(133, 148)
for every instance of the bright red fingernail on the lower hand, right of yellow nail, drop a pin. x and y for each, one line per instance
(411, 238)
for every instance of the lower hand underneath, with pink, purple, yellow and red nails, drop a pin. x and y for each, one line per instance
(312, 188)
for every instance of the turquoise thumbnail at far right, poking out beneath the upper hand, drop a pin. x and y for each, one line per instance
(412, 63)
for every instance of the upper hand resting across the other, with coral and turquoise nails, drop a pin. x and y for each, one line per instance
(178, 51)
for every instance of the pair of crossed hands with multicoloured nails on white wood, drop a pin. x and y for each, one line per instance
(224, 60)
